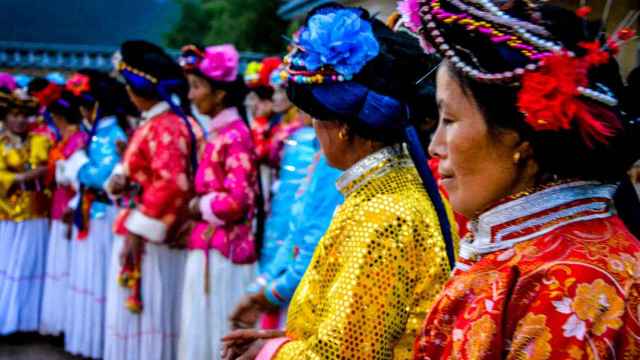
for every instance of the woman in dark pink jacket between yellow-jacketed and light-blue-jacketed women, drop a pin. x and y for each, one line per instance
(67, 118)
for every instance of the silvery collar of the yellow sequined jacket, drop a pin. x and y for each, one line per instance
(369, 167)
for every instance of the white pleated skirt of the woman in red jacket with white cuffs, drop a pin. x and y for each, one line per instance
(154, 333)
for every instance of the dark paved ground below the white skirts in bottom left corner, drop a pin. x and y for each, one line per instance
(32, 347)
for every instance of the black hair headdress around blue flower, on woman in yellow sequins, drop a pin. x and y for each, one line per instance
(393, 72)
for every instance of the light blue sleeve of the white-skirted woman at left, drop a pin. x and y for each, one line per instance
(103, 157)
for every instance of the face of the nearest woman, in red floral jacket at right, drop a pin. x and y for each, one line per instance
(478, 166)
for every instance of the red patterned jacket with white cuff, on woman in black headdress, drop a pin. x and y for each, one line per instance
(157, 159)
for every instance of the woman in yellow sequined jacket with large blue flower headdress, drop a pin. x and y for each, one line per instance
(383, 257)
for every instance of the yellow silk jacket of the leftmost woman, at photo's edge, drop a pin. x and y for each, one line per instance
(17, 202)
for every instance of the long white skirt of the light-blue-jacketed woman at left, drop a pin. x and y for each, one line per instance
(88, 271)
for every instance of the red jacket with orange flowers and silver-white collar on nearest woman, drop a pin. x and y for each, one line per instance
(552, 275)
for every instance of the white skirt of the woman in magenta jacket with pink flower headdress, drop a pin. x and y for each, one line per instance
(205, 318)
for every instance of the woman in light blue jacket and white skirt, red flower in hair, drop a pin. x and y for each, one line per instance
(101, 103)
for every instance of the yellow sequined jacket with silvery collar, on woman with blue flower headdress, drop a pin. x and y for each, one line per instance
(375, 272)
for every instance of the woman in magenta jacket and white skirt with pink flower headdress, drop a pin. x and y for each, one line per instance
(221, 246)
